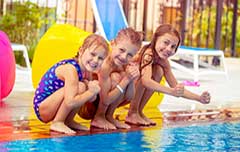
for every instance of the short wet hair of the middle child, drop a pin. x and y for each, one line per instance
(134, 36)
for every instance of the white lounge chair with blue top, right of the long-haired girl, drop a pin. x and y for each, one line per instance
(199, 68)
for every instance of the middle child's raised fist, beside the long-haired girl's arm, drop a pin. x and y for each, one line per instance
(132, 71)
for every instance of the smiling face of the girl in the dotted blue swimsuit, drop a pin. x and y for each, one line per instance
(92, 58)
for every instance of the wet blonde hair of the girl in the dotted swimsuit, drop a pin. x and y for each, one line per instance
(95, 41)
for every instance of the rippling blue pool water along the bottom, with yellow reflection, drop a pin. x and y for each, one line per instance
(212, 137)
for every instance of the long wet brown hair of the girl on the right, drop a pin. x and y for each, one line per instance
(160, 31)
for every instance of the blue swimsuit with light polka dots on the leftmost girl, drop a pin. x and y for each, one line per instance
(51, 83)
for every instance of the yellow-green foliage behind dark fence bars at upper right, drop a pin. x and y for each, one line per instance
(201, 31)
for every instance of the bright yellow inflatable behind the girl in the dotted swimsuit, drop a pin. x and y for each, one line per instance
(58, 43)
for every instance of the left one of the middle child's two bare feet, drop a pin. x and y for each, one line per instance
(100, 122)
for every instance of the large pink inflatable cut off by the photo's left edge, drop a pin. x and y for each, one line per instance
(7, 66)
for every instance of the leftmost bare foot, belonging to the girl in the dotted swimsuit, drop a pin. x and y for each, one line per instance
(61, 127)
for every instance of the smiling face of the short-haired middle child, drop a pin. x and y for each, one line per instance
(123, 52)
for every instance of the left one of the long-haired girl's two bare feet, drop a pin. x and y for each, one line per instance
(135, 119)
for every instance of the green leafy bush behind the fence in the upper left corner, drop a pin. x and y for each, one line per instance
(22, 24)
